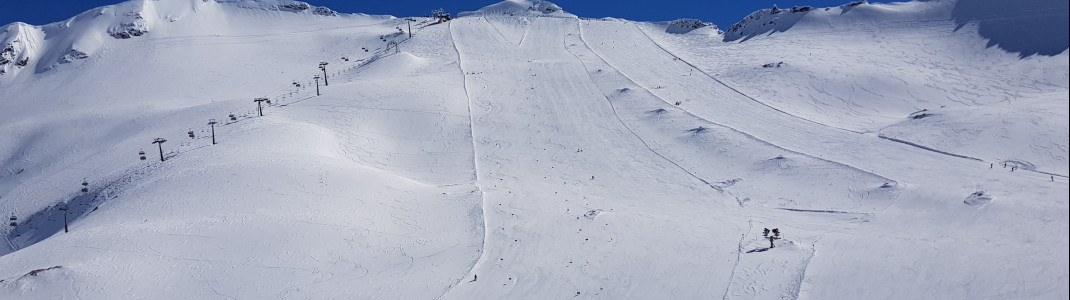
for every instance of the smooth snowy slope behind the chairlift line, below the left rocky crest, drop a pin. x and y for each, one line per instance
(123, 101)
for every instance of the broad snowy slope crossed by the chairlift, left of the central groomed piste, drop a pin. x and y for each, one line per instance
(253, 220)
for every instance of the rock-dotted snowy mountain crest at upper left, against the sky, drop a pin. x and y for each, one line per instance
(44, 48)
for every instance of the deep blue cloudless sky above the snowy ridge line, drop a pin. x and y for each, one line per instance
(724, 13)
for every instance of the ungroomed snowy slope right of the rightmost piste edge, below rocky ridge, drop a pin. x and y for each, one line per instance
(875, 84)
